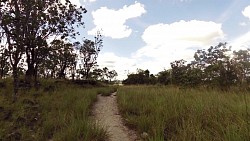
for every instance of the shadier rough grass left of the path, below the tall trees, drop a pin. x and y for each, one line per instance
(58, 111)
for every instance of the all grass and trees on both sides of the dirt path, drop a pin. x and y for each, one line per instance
(49, 81)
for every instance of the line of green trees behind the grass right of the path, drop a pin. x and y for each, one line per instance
(216, 66)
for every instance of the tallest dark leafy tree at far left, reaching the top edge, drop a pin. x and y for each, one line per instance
(27, 24)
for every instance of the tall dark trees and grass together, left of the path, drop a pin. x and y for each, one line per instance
(48, 79)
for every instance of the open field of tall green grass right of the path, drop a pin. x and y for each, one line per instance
(186, 114)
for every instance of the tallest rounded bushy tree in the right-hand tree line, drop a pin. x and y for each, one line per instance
(215, 66)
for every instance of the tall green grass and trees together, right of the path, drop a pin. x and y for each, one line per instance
(204, 99)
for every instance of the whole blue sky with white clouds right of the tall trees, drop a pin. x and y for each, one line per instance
(149, 34)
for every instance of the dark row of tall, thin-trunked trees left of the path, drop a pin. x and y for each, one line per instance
(25, 28)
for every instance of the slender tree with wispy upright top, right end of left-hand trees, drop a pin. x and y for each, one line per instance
(88, 53)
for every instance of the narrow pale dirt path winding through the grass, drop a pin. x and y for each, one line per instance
(106, 114)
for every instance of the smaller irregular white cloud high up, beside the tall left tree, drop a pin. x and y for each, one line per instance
(112, 22)
